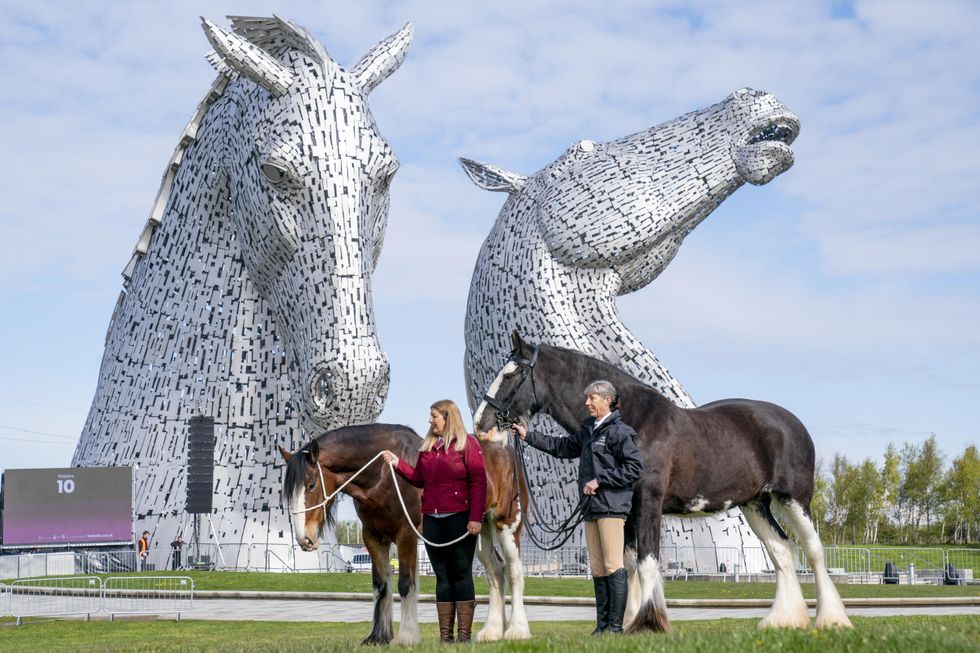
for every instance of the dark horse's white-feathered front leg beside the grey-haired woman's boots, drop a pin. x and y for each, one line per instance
(651, 615)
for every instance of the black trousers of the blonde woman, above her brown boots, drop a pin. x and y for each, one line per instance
(453, 564)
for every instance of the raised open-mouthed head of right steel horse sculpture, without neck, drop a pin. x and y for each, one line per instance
(627, 205)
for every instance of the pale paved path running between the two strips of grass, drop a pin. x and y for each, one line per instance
(297, 610)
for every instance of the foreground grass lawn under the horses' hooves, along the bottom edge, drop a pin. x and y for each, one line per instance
(870, 635)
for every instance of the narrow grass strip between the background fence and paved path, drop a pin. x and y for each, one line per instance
(277, 582)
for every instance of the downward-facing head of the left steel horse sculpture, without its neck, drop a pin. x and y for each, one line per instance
(308, 173)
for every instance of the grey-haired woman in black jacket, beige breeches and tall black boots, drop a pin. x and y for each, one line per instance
(609, 464)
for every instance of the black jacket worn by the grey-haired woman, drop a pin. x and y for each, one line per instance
(609, 455)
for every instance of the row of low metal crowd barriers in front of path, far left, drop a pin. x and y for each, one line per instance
(87, 595)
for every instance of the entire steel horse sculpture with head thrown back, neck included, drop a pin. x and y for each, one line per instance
(604, 220)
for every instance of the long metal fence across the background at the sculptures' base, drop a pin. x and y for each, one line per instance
(857, 564)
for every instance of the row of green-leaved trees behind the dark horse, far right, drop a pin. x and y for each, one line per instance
(912, 497)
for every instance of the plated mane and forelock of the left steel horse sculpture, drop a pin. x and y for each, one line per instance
(274, 35)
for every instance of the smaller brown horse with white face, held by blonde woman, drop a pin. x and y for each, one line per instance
(327, 462)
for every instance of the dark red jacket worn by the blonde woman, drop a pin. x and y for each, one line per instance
(452, 481)
